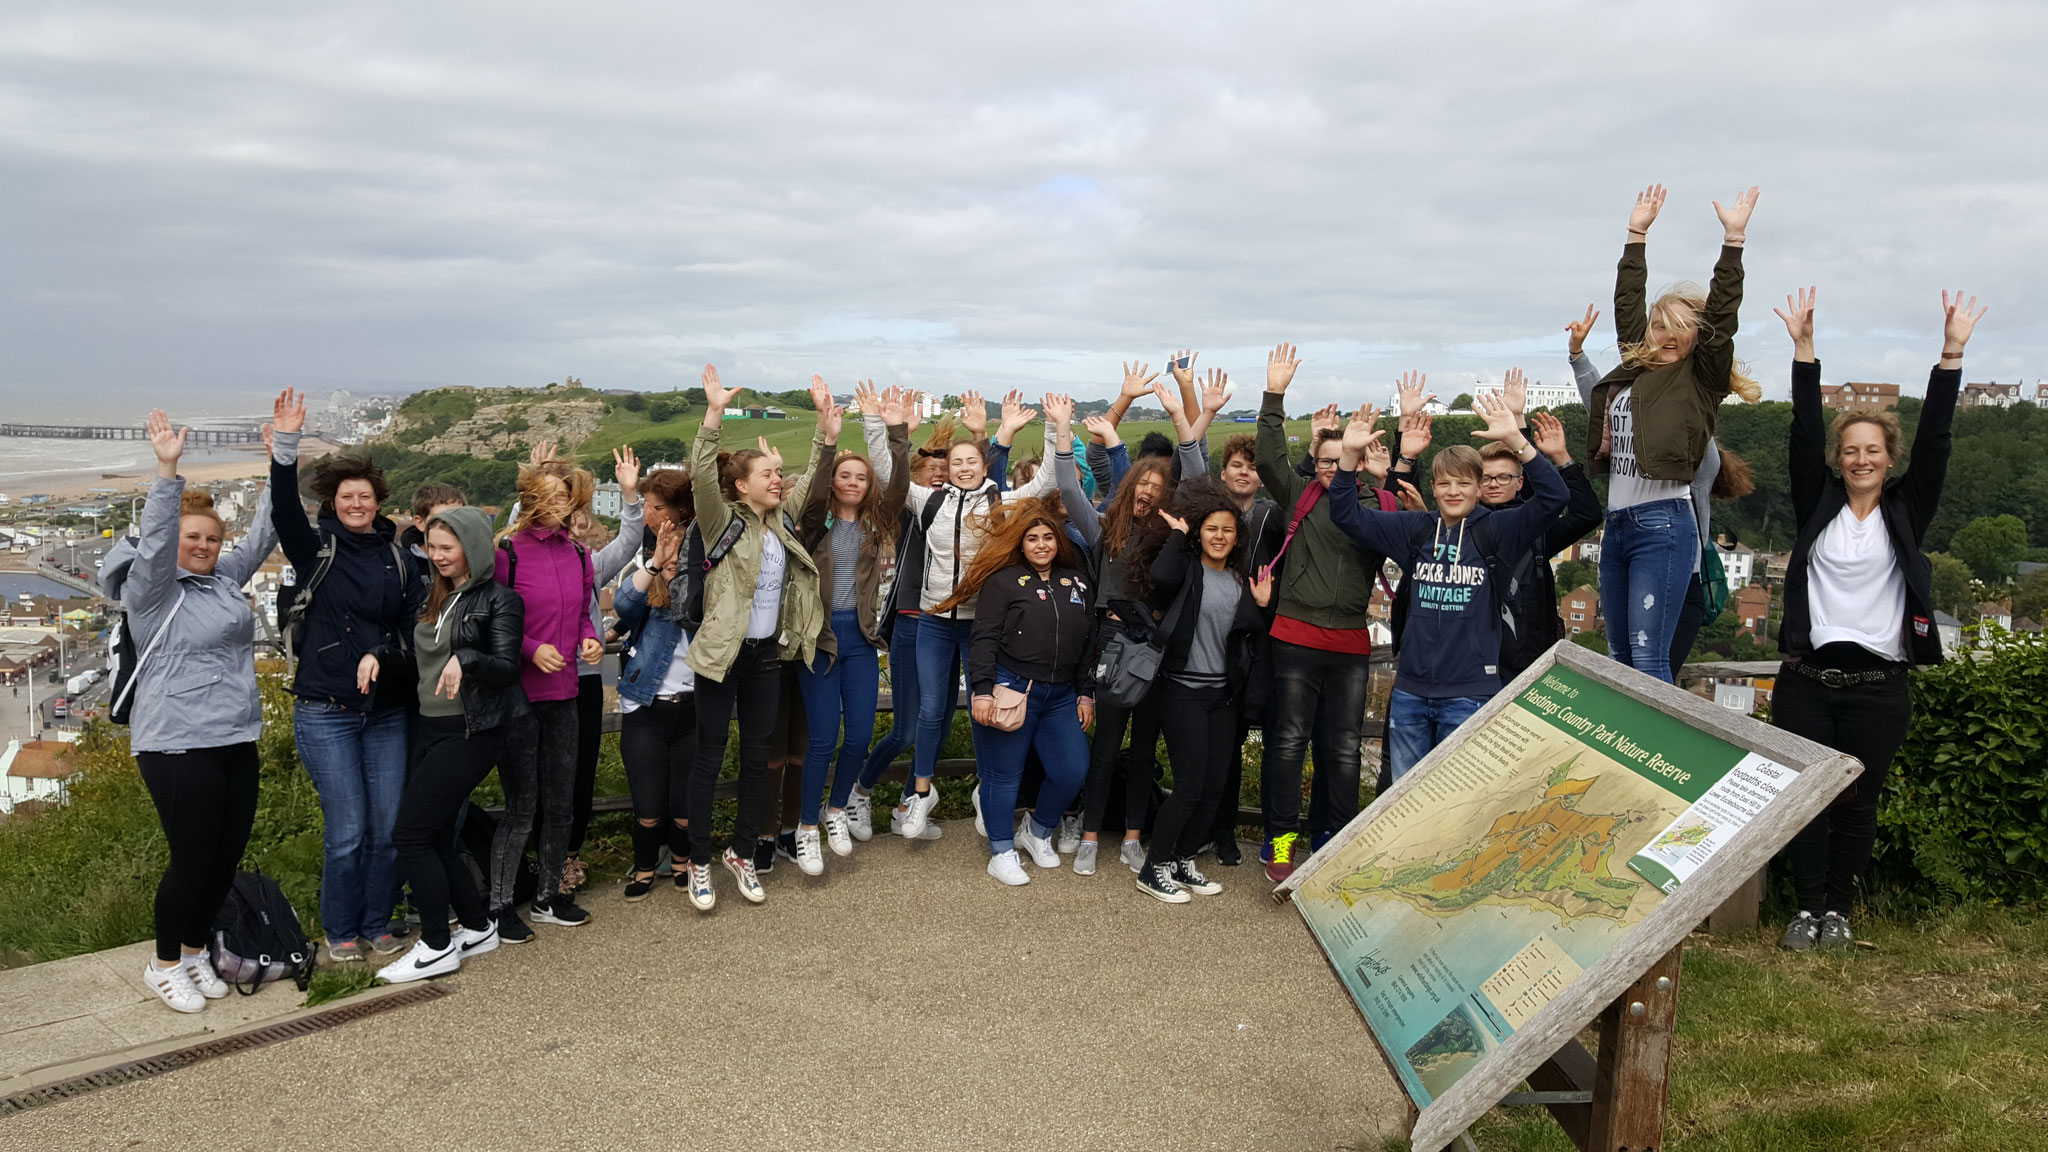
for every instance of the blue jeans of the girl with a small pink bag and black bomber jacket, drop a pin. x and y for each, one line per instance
(1054, 729)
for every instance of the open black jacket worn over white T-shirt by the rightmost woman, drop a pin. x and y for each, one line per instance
(1908, 507)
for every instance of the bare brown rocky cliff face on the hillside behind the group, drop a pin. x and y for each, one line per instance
(486, 421)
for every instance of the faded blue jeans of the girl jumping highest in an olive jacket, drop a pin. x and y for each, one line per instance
(1646, 565)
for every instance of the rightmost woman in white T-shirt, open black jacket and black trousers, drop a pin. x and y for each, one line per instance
(1859, 606)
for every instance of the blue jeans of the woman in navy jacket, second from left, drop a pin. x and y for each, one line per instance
(357, 762)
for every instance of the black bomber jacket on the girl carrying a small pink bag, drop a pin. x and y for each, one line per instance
(1035, 626)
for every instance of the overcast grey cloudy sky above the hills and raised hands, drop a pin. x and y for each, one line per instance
(200, 202)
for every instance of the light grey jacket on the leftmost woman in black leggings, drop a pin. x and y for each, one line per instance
(198, 688)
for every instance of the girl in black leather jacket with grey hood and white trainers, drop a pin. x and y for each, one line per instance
(468, 647)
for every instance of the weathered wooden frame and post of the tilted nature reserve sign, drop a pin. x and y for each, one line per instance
(1625, 1094)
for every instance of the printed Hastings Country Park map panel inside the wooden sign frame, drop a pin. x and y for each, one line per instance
(1514, 864)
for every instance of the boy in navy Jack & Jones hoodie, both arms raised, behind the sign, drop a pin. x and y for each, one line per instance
(1451, 649)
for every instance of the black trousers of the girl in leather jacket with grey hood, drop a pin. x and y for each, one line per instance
(450, 768)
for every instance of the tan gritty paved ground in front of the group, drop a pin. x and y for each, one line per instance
(900, 1001)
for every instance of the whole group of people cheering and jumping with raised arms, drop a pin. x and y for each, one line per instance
(433, 655)
